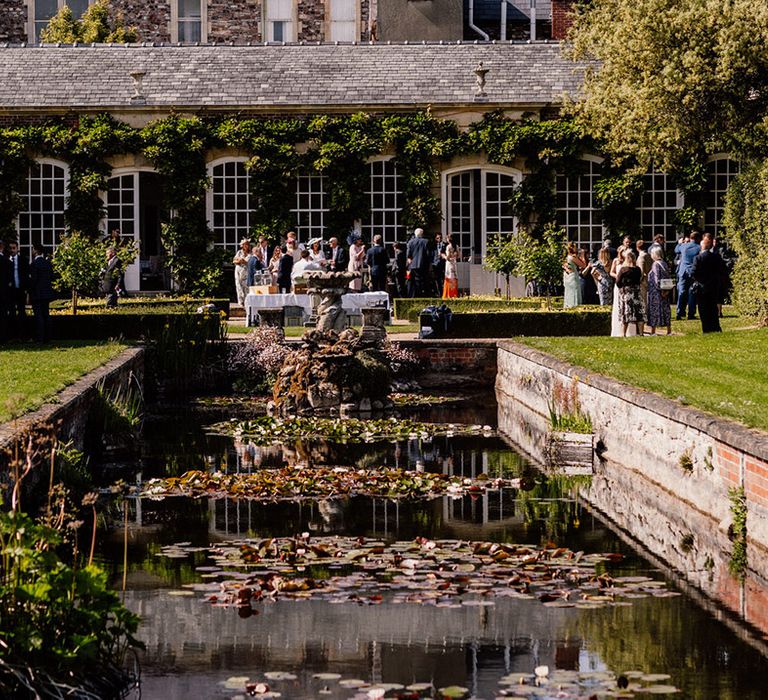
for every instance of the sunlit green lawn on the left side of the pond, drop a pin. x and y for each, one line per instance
(31, 375)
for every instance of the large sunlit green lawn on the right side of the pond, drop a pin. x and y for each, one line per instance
(725, 374)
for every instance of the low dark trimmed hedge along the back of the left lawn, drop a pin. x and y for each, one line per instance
(106, 325)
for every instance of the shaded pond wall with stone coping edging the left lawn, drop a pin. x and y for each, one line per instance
(69, 408)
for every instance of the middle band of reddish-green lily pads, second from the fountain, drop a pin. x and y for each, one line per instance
(301, 483)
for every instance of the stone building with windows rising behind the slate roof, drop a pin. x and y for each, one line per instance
(243, 21)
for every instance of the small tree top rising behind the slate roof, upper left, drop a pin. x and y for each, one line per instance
(99, 24)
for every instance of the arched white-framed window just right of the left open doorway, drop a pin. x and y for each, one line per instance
(230, 203)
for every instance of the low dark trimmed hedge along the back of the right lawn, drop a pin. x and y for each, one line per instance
(530, 323)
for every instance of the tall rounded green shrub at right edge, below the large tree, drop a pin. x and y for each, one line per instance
(745, 221)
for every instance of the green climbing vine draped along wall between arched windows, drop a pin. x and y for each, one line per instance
(279, 149)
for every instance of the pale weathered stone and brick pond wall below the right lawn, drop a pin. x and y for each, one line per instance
(693, 455)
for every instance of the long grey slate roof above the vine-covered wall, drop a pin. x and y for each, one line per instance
(281, 77)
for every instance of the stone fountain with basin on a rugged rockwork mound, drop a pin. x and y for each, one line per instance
(336, 369)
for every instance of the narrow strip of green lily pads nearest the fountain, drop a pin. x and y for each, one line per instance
(267, 430)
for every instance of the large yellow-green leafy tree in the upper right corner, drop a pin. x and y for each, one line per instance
(669, 80)
